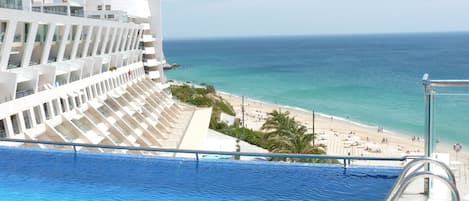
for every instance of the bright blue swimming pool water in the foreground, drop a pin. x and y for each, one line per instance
(37, 174)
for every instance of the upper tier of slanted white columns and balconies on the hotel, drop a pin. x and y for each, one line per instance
(63, 43)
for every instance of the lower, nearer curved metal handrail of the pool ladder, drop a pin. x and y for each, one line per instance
(426, 174)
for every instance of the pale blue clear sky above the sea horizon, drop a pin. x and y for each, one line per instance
(228, 18)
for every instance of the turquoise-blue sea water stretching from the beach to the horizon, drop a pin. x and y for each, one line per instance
(372, 79)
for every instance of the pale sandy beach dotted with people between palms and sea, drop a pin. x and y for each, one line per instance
(342, 136)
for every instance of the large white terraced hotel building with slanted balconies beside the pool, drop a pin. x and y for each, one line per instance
(67, 77)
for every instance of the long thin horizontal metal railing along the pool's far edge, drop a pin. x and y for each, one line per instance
(197, 152)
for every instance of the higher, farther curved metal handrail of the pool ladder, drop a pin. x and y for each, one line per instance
(420, 161)
